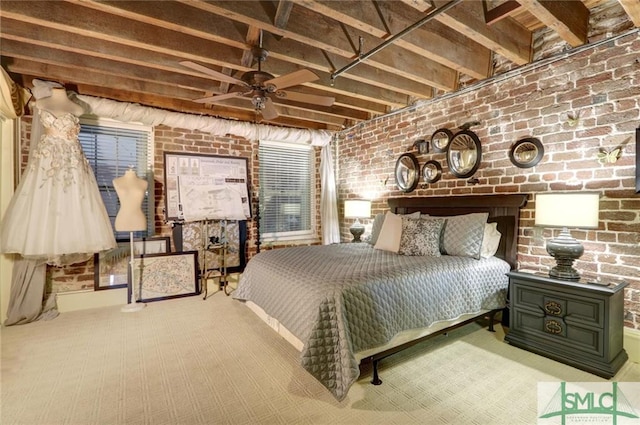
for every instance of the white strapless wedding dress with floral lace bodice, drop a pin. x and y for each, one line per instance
(57, 214)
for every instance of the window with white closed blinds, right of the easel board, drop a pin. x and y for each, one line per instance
(287, 197)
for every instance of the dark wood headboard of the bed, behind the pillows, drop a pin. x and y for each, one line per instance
(502, 209)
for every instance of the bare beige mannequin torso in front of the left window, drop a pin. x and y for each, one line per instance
(130, 190)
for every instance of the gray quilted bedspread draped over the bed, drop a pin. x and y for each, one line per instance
(344, 298)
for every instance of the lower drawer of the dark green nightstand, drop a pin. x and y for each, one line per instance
(551, 330)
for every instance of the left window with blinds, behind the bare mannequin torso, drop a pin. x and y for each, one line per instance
(111, 148)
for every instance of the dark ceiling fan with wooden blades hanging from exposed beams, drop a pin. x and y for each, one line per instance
(260, 86)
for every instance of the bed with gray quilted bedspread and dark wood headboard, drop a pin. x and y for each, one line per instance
(344, 304)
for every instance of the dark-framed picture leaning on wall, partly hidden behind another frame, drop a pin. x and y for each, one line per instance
(111, 268)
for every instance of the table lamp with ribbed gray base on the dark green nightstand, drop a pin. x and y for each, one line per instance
(566, 209)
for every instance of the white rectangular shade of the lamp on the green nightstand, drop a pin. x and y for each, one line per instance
(568, 209)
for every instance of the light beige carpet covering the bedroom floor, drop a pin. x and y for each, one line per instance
(189, 361)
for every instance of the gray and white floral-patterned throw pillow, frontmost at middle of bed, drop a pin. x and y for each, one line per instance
(421, 237)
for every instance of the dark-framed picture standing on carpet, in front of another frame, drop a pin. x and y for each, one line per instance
(164, 276)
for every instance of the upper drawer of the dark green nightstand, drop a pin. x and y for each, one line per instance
(571, 308)
